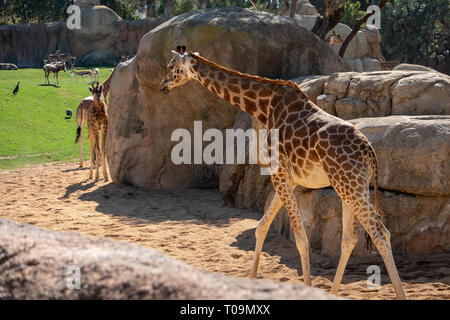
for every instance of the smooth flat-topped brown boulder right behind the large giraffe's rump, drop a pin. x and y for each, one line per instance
(413, 152)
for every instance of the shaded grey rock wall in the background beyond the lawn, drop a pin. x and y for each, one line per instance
(103, 38)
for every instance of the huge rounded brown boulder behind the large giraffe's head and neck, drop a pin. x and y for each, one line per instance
(142, 119)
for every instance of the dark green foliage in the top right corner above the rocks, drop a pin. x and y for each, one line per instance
(417, 32)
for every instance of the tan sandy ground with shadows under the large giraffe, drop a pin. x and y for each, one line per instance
(194, 227)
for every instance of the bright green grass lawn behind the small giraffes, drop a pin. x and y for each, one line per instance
(33, 128)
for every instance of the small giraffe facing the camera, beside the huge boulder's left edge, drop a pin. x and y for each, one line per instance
(98, 121)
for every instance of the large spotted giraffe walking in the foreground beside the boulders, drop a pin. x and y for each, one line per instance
(316, 150)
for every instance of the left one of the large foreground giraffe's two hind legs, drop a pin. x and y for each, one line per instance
(348, 243)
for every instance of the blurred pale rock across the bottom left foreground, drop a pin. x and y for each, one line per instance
(40, 264)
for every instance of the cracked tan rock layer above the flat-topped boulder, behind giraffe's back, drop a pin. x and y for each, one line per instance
(384, 93)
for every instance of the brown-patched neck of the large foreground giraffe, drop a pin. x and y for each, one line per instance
(251, 96)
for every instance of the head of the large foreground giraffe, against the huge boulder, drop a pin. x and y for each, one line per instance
(179, 70)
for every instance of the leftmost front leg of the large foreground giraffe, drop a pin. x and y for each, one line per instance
(262, 229)
